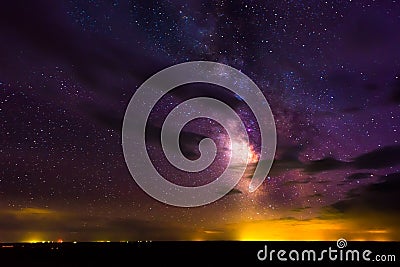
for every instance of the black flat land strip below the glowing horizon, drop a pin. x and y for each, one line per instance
(207, 253)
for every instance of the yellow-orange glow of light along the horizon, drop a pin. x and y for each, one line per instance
(329, 228)
